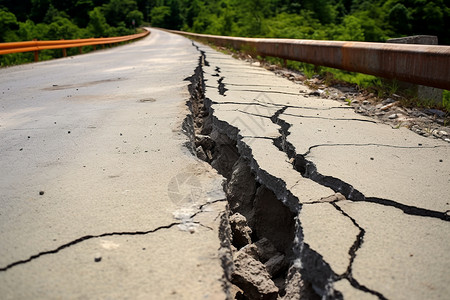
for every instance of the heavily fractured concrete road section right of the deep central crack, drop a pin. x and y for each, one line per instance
(372, 201)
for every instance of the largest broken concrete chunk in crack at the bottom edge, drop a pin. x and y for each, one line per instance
(252, 277)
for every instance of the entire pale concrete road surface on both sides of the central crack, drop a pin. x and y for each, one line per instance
(100, 197)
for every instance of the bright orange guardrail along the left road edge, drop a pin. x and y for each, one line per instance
(36, 46)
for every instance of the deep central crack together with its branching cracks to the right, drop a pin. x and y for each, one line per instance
(305, 274)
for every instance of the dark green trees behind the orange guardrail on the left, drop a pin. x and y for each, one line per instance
(26, 20)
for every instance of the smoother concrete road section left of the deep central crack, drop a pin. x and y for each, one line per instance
(100, 198)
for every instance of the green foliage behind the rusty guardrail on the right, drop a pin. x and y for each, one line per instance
(359, 20)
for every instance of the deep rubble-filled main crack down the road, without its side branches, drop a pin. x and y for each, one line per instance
(221, 145)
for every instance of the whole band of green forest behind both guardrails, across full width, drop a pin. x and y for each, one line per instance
(359, 20)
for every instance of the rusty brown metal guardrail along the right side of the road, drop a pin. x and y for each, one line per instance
(420, 64)
